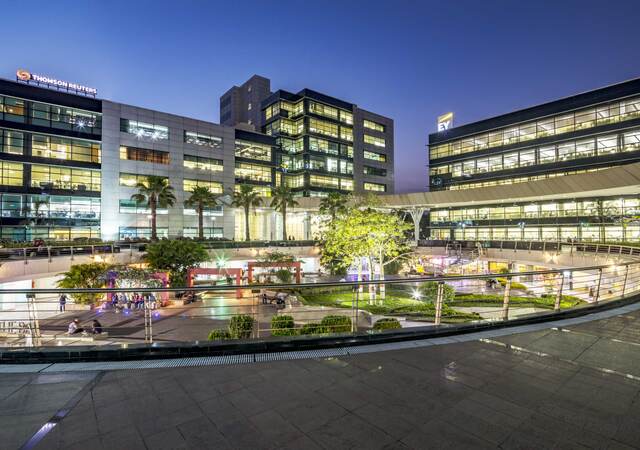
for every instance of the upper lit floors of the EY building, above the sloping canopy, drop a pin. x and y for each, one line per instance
(584, 132)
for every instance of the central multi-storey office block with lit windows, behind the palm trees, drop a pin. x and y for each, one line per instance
(324, 144)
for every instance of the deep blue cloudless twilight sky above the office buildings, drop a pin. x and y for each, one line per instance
(408, 60)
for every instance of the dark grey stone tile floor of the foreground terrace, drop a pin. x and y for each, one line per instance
(577, 387)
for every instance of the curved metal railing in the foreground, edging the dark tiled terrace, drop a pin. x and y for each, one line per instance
(218, 314)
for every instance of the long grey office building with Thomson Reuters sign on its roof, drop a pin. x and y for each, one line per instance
(71, 162)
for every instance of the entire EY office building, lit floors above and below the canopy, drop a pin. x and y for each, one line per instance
(549, 172)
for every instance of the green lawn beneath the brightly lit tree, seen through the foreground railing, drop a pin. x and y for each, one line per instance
(397, 302)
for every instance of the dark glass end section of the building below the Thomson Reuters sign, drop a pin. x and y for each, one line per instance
(50, 161)
